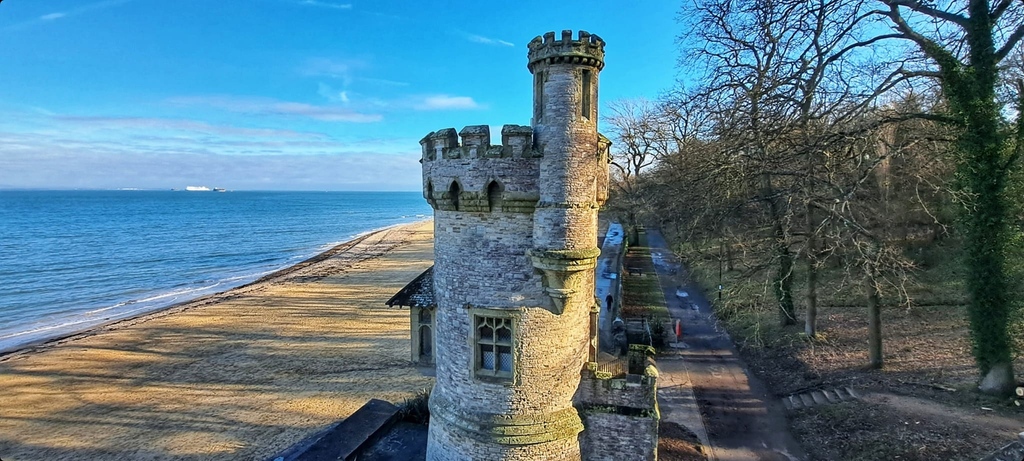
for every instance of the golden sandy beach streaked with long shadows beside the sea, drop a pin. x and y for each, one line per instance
(241, 375)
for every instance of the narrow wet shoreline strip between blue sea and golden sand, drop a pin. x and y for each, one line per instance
(63, 339)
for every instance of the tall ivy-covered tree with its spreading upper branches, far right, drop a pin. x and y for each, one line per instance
(964, 47)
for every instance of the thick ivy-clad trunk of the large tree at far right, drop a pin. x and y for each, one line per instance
(972, 98)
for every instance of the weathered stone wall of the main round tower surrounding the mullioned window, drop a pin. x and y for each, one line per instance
(482, 262)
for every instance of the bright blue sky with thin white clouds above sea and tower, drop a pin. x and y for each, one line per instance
(283, 95)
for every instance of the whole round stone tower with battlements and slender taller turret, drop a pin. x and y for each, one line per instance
(516, 246)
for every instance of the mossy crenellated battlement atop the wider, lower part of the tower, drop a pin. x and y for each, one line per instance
(518, 143)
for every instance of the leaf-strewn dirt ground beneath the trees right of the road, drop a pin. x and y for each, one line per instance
(922, 406)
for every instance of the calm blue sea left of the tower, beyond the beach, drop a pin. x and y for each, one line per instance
(74, 260)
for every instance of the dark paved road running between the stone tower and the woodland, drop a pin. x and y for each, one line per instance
(739, 420)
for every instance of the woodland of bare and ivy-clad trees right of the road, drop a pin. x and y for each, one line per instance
(828, 165)
